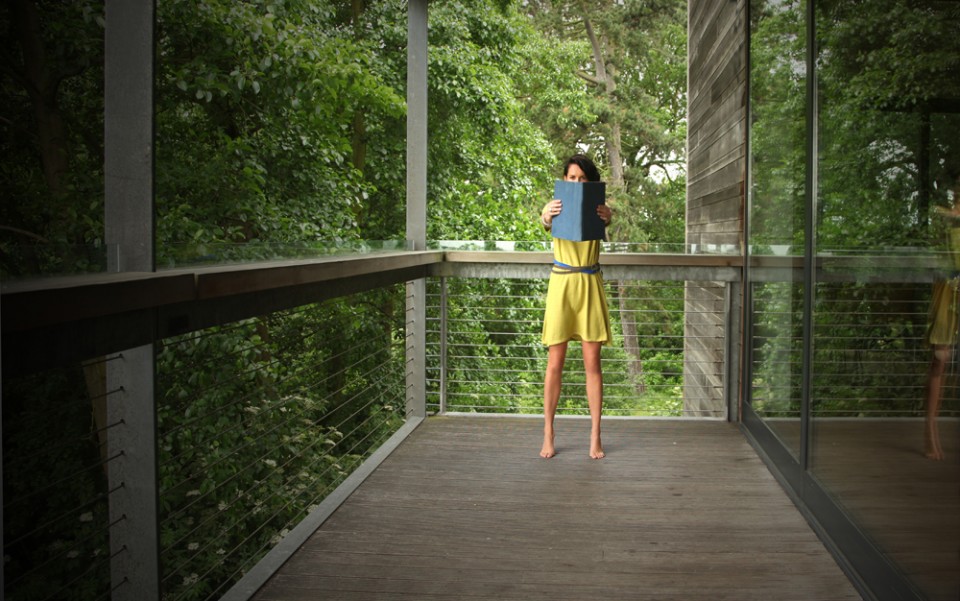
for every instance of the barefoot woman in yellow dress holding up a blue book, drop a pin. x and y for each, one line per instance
(576, 310)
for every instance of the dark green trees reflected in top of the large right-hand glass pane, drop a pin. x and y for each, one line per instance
(889, 136)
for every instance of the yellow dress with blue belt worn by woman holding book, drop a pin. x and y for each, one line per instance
(576, 303)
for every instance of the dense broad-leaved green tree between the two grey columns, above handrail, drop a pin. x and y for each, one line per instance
(255, 103)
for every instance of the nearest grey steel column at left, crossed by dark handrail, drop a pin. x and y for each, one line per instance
(129, 233)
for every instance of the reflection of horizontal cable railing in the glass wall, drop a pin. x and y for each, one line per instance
(870, 356)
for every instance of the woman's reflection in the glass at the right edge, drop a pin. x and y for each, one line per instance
(942, 330)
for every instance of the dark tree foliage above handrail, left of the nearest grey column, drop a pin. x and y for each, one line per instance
(51, 139)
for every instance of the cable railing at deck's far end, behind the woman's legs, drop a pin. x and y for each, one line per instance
(485, 353)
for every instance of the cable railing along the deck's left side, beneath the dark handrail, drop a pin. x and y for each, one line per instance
(257, 422)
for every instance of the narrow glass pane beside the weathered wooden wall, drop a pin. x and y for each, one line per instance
(776, 212)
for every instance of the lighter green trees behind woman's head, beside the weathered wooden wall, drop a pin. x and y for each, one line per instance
(619, 91)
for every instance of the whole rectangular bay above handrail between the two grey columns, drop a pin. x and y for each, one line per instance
(277, 129)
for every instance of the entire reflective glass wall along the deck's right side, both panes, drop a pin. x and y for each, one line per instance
(856, 173)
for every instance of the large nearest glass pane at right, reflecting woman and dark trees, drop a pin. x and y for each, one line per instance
(889, 175)
